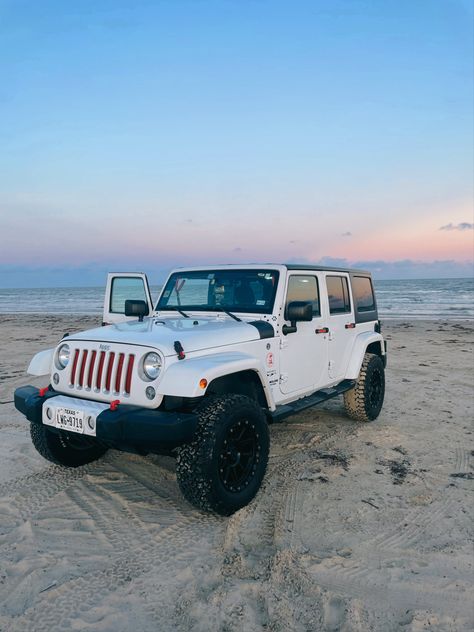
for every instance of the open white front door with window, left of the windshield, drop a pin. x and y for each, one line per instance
(122, 286)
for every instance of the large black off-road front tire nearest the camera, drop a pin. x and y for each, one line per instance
(223, 468)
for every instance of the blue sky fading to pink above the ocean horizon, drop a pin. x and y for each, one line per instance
(152, 134)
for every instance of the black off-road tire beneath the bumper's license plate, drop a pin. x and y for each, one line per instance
(64, 449)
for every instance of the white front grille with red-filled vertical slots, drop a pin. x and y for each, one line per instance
(106, 371)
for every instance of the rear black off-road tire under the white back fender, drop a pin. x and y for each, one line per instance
(364, 401)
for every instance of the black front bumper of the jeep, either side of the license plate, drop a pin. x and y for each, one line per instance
(126, 428)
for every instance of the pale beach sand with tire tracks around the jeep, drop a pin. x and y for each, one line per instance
(357, 526)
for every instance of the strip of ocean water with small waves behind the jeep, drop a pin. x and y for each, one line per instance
(450, 299)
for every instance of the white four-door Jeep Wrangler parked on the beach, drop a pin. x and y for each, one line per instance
(225, 351)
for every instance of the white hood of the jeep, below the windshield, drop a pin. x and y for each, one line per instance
(194, 334)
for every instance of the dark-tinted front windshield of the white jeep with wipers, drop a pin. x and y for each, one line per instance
(244, 291)
